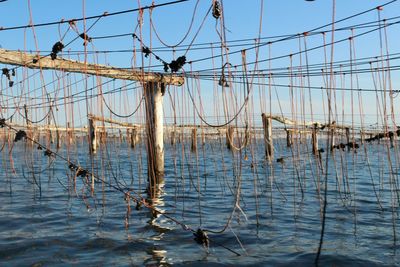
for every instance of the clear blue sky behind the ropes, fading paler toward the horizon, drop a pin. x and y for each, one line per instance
(189, 23)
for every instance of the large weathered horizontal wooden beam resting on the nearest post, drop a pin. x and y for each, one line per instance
(32, 61)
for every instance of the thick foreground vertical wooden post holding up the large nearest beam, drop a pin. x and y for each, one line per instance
(155, 135)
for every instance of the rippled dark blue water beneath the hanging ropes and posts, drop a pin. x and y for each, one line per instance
(277, 221)
